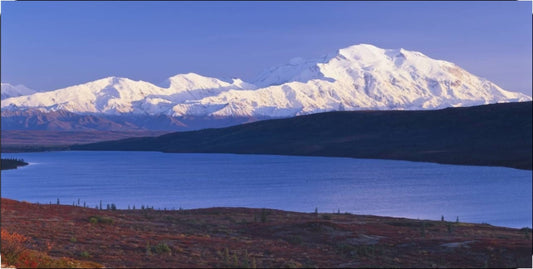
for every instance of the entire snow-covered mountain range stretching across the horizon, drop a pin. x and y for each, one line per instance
(359, 77)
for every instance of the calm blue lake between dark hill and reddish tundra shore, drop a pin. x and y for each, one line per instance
(494, 195)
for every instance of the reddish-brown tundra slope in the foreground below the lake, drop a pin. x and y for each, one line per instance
(249, 238)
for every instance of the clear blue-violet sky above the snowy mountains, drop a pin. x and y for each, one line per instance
(50, 45)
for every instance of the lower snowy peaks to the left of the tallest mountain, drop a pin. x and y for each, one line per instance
(114, 95)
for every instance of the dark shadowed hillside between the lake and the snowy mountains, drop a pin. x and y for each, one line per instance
(493, 135)
